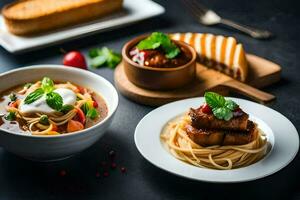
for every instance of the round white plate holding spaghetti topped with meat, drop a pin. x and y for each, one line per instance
(281, 133)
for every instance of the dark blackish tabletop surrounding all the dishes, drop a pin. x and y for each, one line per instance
(22, 179)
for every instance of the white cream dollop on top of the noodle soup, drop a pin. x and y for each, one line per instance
(41, 106)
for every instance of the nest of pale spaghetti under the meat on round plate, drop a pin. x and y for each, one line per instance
(177, 142)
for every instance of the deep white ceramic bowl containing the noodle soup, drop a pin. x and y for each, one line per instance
(46, 148)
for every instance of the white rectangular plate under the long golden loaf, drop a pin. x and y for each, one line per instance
(134, 10)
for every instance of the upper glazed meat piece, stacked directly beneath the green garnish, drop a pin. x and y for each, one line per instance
(202, 120)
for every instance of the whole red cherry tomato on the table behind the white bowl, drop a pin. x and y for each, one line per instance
(75, 59)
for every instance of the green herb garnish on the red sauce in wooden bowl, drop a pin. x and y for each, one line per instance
(158, 39)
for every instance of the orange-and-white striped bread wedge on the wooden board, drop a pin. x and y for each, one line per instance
(221, 53)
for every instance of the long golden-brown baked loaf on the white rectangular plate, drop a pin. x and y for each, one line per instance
(26, 17)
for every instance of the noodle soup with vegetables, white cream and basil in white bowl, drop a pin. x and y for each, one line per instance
(50, 108)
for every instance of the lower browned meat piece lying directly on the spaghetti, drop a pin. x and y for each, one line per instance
(206, 137)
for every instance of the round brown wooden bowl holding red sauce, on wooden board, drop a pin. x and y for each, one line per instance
(158, 78)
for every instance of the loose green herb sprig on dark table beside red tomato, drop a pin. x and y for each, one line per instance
(104, 57)
